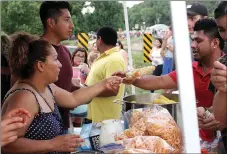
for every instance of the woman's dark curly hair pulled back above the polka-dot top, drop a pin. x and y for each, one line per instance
(26, 51)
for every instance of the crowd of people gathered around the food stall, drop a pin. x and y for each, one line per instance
(43, 81)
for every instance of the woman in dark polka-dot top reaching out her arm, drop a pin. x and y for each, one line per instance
(36, 65)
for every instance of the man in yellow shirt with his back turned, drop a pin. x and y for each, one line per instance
(110, 60)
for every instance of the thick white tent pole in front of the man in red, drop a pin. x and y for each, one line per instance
(185, 77)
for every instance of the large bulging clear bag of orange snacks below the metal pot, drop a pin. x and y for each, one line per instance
(153, 121)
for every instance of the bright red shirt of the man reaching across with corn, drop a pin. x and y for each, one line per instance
(204, 96)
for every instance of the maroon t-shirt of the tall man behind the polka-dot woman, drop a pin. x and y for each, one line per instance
(64, 78)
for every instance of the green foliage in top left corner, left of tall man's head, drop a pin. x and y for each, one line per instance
(21, 16)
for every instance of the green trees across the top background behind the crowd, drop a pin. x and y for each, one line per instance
(24, 15)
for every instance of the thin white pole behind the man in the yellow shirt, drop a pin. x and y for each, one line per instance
(128, 41)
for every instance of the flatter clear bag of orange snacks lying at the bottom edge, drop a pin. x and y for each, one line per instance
(153, 144)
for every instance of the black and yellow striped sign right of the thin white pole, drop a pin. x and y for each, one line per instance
(147, 47)
